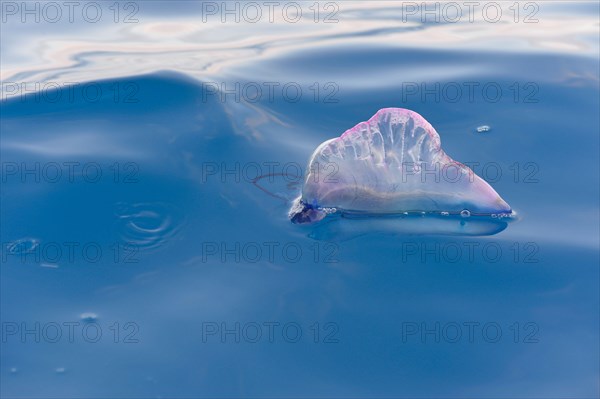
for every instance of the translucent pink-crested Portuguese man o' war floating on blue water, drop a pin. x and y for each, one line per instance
(392, 170)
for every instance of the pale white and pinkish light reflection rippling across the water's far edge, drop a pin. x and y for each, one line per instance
(201, 43)
